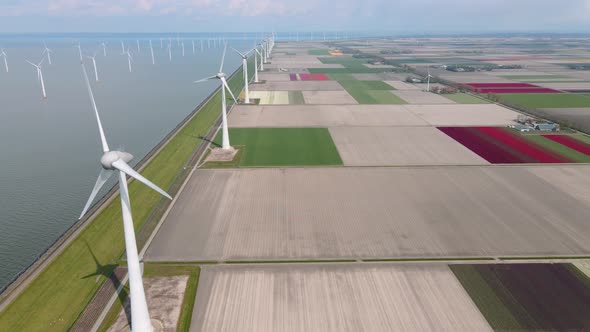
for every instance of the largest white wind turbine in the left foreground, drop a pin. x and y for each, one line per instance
(112, 161)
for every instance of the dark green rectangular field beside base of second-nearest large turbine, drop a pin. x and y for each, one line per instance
(284, 146)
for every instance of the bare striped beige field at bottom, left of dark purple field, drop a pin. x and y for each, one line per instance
(343, 297)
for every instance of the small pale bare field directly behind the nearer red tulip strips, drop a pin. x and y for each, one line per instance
(464, 115)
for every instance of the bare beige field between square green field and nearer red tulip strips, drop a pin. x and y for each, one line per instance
(387, 146)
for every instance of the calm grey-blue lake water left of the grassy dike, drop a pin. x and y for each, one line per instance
(50, 149)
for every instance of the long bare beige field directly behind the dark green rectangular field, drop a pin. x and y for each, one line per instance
(323, 116)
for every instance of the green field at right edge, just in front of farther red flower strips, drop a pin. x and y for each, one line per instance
(547, 100)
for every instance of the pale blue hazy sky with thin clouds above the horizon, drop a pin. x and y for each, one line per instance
(401, 16)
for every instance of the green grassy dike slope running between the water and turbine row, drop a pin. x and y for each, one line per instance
(59, 294)
